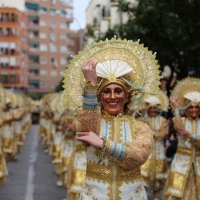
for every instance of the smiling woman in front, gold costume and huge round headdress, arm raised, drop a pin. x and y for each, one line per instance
(116, 144)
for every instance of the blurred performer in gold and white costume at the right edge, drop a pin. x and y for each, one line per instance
(183, 180)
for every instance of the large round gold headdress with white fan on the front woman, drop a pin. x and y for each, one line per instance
(124, 62)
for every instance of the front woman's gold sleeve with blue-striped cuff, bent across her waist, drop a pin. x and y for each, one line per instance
(131, 154)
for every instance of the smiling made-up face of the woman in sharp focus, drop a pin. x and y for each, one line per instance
(113, 98)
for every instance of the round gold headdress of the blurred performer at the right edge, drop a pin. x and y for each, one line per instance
(186, 91)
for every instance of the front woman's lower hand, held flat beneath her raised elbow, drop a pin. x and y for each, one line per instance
(90, 138)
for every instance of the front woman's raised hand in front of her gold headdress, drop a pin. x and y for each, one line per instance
(89, 71)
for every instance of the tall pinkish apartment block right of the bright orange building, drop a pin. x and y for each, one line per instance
(50, 42)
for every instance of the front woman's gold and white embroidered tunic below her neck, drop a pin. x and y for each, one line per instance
(112, 173)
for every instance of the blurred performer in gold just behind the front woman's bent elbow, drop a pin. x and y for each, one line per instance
(154, 170)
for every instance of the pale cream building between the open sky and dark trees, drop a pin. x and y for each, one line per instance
(102, 15)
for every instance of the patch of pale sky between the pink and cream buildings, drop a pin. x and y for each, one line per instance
(79, 14)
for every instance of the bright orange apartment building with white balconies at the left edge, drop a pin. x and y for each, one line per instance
(14, 58)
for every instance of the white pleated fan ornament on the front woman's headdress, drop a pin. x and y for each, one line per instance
(116, 67)
